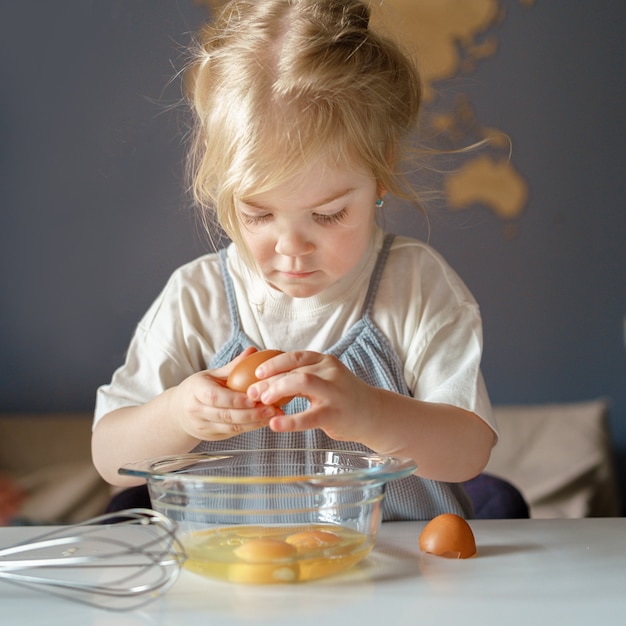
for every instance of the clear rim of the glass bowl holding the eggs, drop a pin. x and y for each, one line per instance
(170, 467)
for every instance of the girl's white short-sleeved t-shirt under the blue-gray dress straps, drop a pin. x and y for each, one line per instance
(422, 306)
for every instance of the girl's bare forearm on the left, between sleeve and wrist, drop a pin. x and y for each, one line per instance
(134, 433)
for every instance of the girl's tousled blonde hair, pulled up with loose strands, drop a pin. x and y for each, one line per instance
(277, 84)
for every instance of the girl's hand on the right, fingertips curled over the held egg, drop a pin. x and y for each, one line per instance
(341, 404)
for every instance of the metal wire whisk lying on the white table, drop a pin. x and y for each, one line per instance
(116, 561)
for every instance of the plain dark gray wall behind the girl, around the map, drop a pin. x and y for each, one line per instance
(93, 216)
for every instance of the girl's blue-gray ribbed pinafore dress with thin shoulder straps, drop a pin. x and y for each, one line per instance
(370, 356)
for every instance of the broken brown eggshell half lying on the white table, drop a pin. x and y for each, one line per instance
(448, 535)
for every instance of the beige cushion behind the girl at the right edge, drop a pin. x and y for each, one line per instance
(559, 456)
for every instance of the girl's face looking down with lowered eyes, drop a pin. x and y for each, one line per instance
(308, 233)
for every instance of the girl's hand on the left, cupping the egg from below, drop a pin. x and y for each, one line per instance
(207, 410)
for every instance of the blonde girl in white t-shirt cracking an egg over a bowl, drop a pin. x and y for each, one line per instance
(301, 112)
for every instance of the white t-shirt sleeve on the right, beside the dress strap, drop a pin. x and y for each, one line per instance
(439, 332)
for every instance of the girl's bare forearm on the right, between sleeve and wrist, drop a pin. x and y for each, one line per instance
(447, 443)
